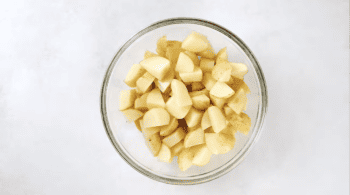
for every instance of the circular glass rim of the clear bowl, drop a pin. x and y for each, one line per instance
(262, 110)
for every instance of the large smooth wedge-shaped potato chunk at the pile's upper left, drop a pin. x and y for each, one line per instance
(156, 66)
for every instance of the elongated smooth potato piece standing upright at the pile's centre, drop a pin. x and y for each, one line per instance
(180, 93)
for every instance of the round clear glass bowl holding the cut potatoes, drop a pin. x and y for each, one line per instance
(127, 139)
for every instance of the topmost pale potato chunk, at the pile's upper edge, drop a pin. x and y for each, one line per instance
(195, 42)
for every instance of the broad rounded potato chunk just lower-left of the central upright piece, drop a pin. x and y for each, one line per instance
(156, 117)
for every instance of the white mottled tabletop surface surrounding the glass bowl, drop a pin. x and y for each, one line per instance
(53, 56)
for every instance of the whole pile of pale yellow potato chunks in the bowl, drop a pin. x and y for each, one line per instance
(188, 101)
